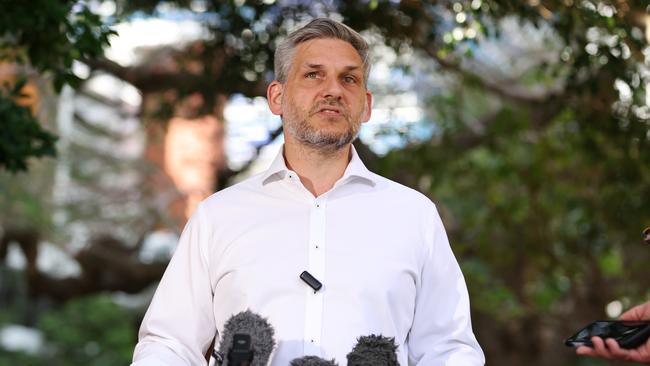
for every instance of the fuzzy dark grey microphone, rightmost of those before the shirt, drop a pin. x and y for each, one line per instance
(373, 350)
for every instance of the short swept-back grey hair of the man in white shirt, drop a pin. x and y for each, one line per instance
(318, 28)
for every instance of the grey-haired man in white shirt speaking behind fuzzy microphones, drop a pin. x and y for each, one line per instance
(379, 248)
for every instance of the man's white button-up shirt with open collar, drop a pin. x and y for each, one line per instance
(379, 249)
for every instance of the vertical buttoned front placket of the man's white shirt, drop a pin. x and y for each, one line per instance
(316, 266)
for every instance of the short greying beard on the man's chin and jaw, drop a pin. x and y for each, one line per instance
(319, 140)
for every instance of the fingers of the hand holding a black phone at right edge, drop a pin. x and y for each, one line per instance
(609, 348)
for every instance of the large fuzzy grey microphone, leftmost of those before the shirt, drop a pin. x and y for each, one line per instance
(247, 340)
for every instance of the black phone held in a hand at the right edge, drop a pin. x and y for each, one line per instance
(628, 334)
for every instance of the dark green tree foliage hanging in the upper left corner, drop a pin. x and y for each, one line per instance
(48, 42)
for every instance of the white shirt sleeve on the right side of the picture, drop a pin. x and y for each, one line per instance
(441, 333)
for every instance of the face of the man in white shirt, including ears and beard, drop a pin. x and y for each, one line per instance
(324, 100)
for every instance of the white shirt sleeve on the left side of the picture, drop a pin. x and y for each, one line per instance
(179, 324)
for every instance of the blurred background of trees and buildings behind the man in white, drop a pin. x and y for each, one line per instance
(526, 121)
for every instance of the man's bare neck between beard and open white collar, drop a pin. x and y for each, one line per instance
(318, 171)
